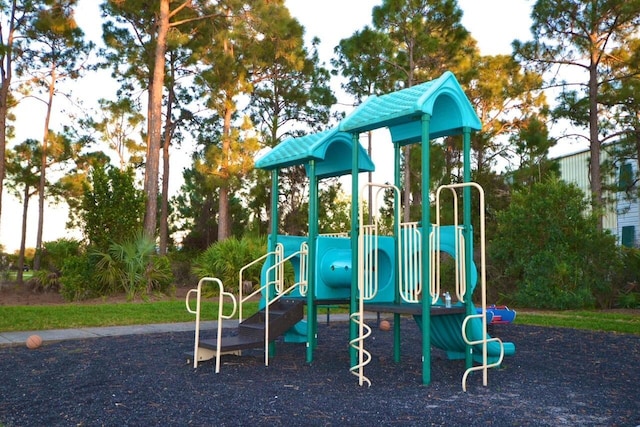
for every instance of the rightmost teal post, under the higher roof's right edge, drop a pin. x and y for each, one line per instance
(468, 231)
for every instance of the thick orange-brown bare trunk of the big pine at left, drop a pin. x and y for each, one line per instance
(155, 124)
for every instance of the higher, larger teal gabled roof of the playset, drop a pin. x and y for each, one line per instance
(443, 99)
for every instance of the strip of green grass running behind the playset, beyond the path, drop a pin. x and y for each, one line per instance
(27, 318)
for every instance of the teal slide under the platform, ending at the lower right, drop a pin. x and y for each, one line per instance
(446, 335)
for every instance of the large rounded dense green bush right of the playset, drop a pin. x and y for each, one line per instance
(550, 250)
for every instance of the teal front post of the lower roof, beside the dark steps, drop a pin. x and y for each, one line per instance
(312, 309)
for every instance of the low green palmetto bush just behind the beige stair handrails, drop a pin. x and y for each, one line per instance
(225, 259)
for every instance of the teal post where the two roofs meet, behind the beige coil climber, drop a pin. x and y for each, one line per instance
(353, 305)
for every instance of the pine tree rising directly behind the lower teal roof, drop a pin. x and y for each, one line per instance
(291, 97)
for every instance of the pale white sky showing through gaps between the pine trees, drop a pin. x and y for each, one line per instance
(329, 20)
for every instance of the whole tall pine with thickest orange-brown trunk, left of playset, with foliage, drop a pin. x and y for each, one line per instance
(139, 35)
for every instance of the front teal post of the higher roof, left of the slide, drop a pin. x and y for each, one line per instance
(424, 253)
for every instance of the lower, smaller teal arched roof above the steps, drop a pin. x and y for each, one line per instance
(331, 149)
